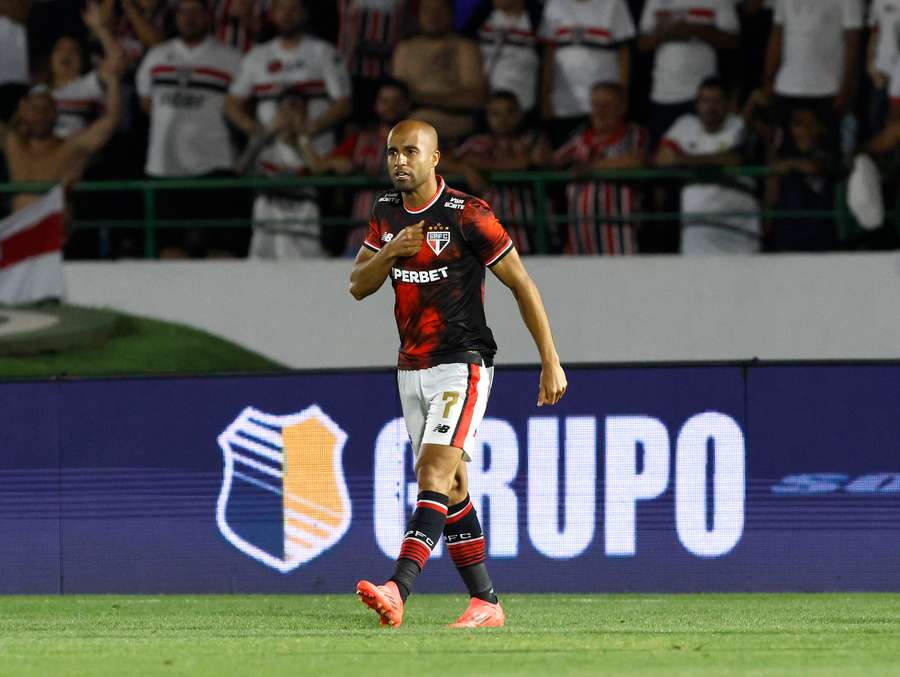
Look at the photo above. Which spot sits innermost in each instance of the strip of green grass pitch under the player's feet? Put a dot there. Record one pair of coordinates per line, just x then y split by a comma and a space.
796, 634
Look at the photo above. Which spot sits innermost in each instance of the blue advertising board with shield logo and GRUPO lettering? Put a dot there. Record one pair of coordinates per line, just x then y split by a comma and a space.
643, 479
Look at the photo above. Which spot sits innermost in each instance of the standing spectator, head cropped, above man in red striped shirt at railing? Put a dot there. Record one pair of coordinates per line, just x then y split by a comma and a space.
587, 41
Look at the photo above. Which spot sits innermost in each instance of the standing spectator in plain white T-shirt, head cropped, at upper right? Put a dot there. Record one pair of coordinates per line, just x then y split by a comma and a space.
813, 56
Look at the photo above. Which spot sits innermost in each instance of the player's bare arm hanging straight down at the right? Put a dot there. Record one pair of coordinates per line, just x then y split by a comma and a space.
512, 273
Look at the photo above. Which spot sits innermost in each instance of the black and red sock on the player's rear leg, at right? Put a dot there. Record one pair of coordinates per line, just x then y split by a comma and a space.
465, 541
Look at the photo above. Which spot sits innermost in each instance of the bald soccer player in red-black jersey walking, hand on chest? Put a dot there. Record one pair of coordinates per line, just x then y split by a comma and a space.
435, 243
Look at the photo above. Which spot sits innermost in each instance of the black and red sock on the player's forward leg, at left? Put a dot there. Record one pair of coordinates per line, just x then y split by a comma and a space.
422, 533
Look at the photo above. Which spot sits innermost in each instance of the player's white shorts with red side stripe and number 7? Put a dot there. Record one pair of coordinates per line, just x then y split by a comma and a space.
444, 404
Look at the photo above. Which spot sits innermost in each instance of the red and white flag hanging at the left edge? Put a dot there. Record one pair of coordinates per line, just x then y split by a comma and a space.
31, 243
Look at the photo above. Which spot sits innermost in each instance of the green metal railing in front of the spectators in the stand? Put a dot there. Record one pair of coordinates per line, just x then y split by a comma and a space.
541, 183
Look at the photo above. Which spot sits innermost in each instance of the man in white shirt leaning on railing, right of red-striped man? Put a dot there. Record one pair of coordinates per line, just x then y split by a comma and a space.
718, 217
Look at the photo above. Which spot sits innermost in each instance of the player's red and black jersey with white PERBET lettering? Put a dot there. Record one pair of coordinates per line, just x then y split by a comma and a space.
440, 291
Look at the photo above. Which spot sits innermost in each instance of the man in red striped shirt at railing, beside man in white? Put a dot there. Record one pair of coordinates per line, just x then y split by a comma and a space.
596, 206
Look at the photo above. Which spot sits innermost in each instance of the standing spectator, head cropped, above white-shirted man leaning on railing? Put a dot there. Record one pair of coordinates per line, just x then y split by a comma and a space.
684, 36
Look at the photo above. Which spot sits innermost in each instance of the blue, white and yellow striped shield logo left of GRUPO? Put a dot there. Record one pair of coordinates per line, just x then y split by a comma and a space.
284, 498
